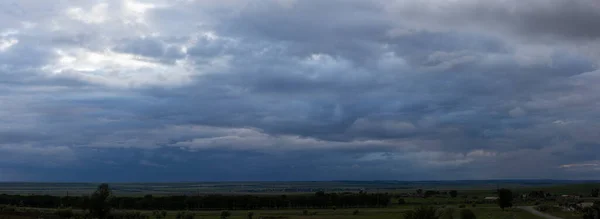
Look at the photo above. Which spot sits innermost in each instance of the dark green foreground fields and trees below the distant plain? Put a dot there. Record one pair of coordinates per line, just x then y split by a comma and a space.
438, 204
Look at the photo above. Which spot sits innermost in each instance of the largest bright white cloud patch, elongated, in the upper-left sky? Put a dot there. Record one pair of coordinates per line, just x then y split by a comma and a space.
118, 69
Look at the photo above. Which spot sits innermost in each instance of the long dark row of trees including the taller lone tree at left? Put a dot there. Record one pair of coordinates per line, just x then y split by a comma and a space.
204, 202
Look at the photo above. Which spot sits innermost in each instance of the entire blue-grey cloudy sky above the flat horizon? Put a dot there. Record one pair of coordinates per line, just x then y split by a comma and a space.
260, 90
